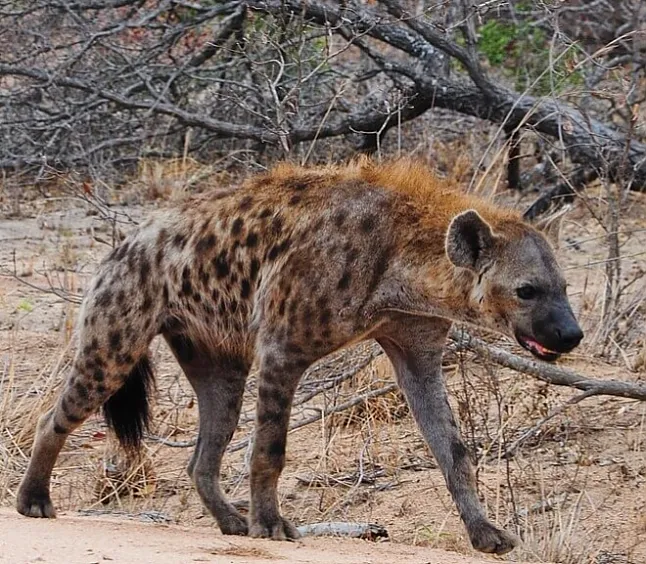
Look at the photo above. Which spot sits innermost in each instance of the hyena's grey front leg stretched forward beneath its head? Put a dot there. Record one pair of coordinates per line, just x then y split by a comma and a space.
416, 353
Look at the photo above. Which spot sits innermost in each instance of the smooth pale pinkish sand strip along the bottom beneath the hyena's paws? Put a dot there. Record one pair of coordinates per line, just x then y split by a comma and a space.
70, 539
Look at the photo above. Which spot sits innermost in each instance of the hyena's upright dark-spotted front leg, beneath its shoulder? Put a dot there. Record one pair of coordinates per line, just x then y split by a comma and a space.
277, 381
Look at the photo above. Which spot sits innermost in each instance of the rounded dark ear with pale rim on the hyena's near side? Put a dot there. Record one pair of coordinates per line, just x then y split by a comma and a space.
469, 240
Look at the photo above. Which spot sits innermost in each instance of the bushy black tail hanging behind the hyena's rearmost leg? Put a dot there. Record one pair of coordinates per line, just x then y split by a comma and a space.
127, 412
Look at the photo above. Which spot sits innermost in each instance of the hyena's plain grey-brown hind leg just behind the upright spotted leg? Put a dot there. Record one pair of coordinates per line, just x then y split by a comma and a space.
218, 380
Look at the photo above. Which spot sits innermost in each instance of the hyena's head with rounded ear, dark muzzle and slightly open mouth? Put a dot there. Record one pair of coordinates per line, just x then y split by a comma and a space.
517, 285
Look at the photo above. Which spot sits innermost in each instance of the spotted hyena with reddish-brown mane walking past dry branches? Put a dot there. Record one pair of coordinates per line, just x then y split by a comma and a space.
292, 265
